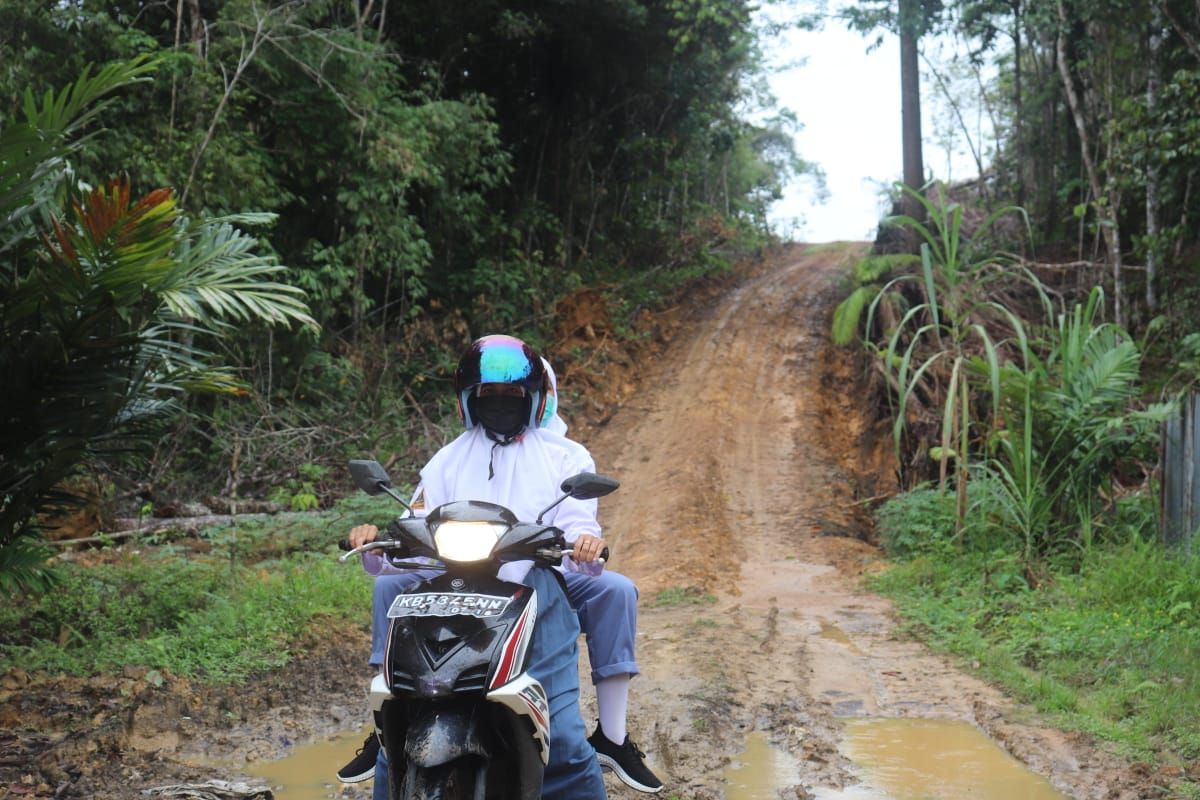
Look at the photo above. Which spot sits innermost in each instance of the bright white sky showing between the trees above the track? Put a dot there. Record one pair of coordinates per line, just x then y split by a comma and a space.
849, 104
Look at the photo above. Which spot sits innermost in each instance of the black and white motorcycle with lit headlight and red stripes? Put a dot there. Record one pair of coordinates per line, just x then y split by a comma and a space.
457, 712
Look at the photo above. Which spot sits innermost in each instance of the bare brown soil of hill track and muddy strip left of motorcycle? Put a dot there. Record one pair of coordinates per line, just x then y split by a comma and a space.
746, 462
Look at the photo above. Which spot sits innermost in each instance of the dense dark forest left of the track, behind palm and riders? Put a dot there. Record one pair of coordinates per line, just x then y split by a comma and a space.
434, 172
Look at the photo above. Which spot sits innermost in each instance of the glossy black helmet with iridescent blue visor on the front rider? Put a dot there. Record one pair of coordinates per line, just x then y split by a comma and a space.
501, 360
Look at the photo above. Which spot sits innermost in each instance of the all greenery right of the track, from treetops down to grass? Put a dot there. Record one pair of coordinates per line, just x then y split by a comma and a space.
1027, 353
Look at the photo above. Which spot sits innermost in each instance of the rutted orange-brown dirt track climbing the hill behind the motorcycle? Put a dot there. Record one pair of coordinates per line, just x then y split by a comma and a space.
739, 478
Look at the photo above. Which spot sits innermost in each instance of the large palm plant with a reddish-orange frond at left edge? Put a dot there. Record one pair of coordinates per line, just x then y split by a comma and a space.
107, 306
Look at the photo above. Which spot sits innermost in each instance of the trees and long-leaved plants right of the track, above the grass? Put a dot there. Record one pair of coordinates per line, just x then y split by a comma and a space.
1016, 346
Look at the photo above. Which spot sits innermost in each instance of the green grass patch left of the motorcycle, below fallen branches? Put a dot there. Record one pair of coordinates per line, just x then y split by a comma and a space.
220, 617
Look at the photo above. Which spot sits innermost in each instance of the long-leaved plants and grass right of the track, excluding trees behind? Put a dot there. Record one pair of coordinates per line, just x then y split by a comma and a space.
1041, 563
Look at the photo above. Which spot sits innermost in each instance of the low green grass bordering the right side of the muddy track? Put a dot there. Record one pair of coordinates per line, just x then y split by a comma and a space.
1107, 642
